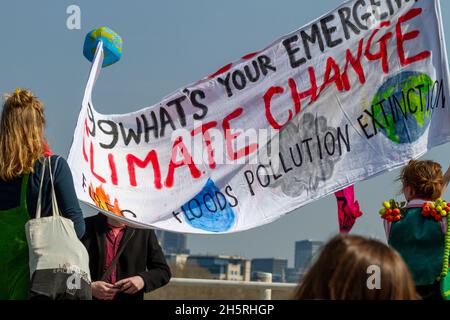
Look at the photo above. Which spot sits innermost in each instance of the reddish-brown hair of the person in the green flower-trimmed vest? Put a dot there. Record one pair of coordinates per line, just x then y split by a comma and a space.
422, 179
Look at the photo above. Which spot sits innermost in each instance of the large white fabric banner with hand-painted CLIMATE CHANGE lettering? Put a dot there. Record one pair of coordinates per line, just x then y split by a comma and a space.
359, 91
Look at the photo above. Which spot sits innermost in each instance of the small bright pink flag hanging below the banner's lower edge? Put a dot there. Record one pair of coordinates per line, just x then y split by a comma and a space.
348, 208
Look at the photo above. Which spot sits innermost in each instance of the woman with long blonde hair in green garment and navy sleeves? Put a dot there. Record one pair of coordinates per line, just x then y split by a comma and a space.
22, 146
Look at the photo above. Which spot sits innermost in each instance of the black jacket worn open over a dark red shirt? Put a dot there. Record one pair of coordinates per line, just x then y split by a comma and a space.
142, 256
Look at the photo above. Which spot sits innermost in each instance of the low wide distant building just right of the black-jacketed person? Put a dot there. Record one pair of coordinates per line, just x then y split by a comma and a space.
223, 267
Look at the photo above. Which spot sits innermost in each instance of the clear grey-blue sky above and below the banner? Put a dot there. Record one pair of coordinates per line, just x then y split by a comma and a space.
168, 44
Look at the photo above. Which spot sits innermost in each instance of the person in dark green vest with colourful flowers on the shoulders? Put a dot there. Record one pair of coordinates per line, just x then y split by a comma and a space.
417, 228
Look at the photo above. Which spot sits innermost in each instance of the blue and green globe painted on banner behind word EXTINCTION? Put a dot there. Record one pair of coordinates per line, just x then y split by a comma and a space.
406, 111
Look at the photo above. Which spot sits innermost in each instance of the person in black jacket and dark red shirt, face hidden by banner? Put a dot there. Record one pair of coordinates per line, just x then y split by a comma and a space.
124, 262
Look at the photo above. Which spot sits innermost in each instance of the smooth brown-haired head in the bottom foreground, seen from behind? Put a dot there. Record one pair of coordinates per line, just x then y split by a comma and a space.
344, 267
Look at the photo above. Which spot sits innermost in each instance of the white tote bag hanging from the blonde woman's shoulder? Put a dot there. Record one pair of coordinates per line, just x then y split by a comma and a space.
59, 262
